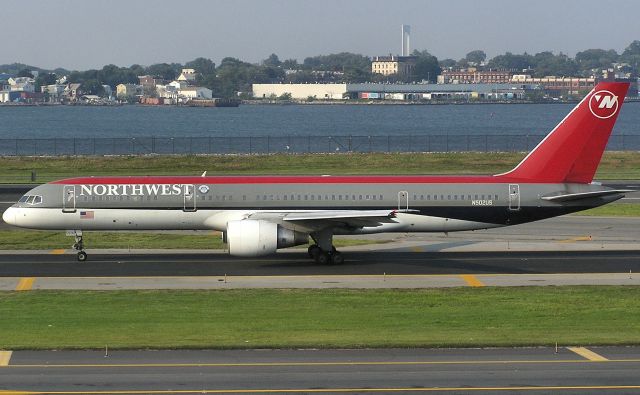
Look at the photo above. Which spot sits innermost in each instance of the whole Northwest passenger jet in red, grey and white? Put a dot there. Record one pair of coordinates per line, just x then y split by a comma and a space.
258, 215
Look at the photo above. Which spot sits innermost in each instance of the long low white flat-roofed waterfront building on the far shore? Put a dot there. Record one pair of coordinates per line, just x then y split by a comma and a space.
378, 91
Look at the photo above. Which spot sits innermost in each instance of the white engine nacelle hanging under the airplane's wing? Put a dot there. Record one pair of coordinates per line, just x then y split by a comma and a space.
251, 237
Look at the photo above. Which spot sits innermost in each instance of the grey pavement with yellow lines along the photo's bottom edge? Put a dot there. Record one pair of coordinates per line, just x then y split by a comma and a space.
576, 370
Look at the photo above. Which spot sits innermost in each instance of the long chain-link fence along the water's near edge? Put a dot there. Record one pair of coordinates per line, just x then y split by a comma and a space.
285, 144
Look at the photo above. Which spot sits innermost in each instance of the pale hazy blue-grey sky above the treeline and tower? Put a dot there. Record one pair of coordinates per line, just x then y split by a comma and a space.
83, 34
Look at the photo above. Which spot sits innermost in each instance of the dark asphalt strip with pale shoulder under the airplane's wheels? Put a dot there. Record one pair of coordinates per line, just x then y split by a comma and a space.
391, 269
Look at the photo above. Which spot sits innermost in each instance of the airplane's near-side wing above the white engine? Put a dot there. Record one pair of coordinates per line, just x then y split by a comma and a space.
329, 218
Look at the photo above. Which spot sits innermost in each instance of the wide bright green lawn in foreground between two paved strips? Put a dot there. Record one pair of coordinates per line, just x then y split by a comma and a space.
250, 318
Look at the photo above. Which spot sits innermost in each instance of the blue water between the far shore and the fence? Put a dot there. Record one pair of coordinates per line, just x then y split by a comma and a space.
292, 120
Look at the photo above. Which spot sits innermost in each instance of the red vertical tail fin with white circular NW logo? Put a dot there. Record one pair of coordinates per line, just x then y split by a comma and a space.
573, 149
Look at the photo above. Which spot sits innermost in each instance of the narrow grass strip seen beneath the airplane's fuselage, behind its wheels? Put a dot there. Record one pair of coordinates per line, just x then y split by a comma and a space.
45, 240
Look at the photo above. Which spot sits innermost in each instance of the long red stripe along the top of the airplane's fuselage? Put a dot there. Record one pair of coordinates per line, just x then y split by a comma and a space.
290, 180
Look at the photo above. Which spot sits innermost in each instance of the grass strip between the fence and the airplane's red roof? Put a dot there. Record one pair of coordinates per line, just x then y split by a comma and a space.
615, 165
